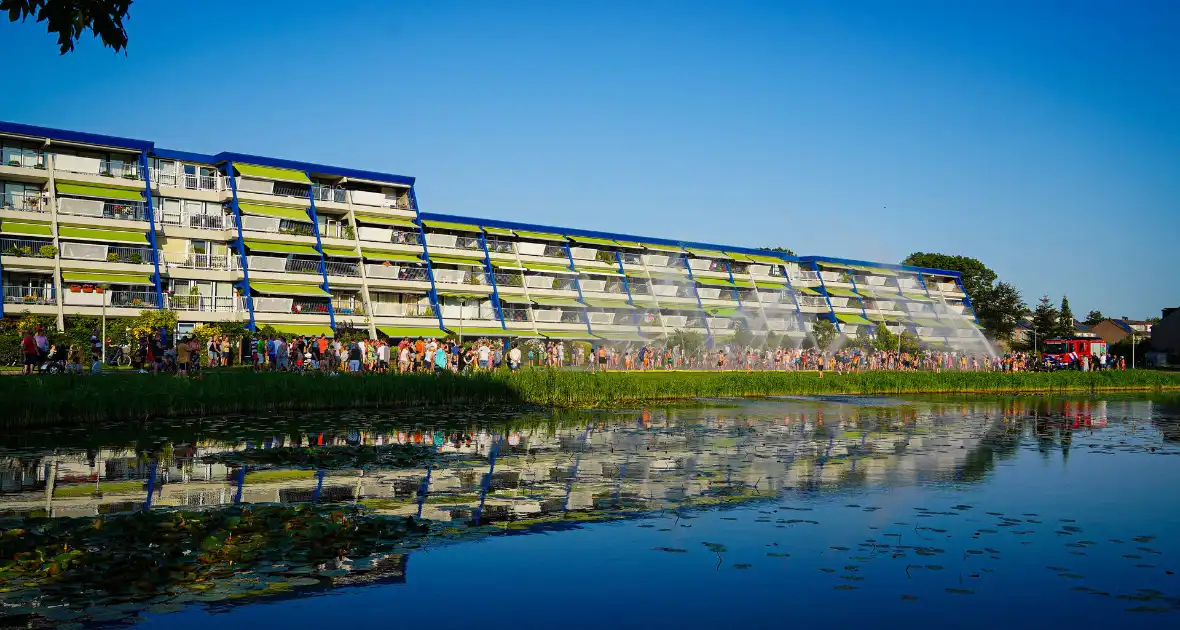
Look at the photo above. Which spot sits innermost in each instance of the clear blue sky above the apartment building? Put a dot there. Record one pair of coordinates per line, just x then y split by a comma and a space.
1040, 137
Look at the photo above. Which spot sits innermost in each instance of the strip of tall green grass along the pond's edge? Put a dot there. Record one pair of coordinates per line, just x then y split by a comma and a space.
58, 401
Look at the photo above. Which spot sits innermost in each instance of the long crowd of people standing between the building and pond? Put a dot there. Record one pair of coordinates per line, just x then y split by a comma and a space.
160, 353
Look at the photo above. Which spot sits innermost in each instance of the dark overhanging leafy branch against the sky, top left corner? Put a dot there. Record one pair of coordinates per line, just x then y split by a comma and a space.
73, 18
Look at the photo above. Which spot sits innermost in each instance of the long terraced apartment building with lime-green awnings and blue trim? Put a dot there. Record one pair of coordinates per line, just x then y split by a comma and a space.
93, 224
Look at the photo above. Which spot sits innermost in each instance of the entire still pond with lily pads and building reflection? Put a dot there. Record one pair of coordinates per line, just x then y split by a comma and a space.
967, 511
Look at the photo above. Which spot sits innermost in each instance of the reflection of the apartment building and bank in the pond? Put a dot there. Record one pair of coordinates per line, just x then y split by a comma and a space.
244, 510
